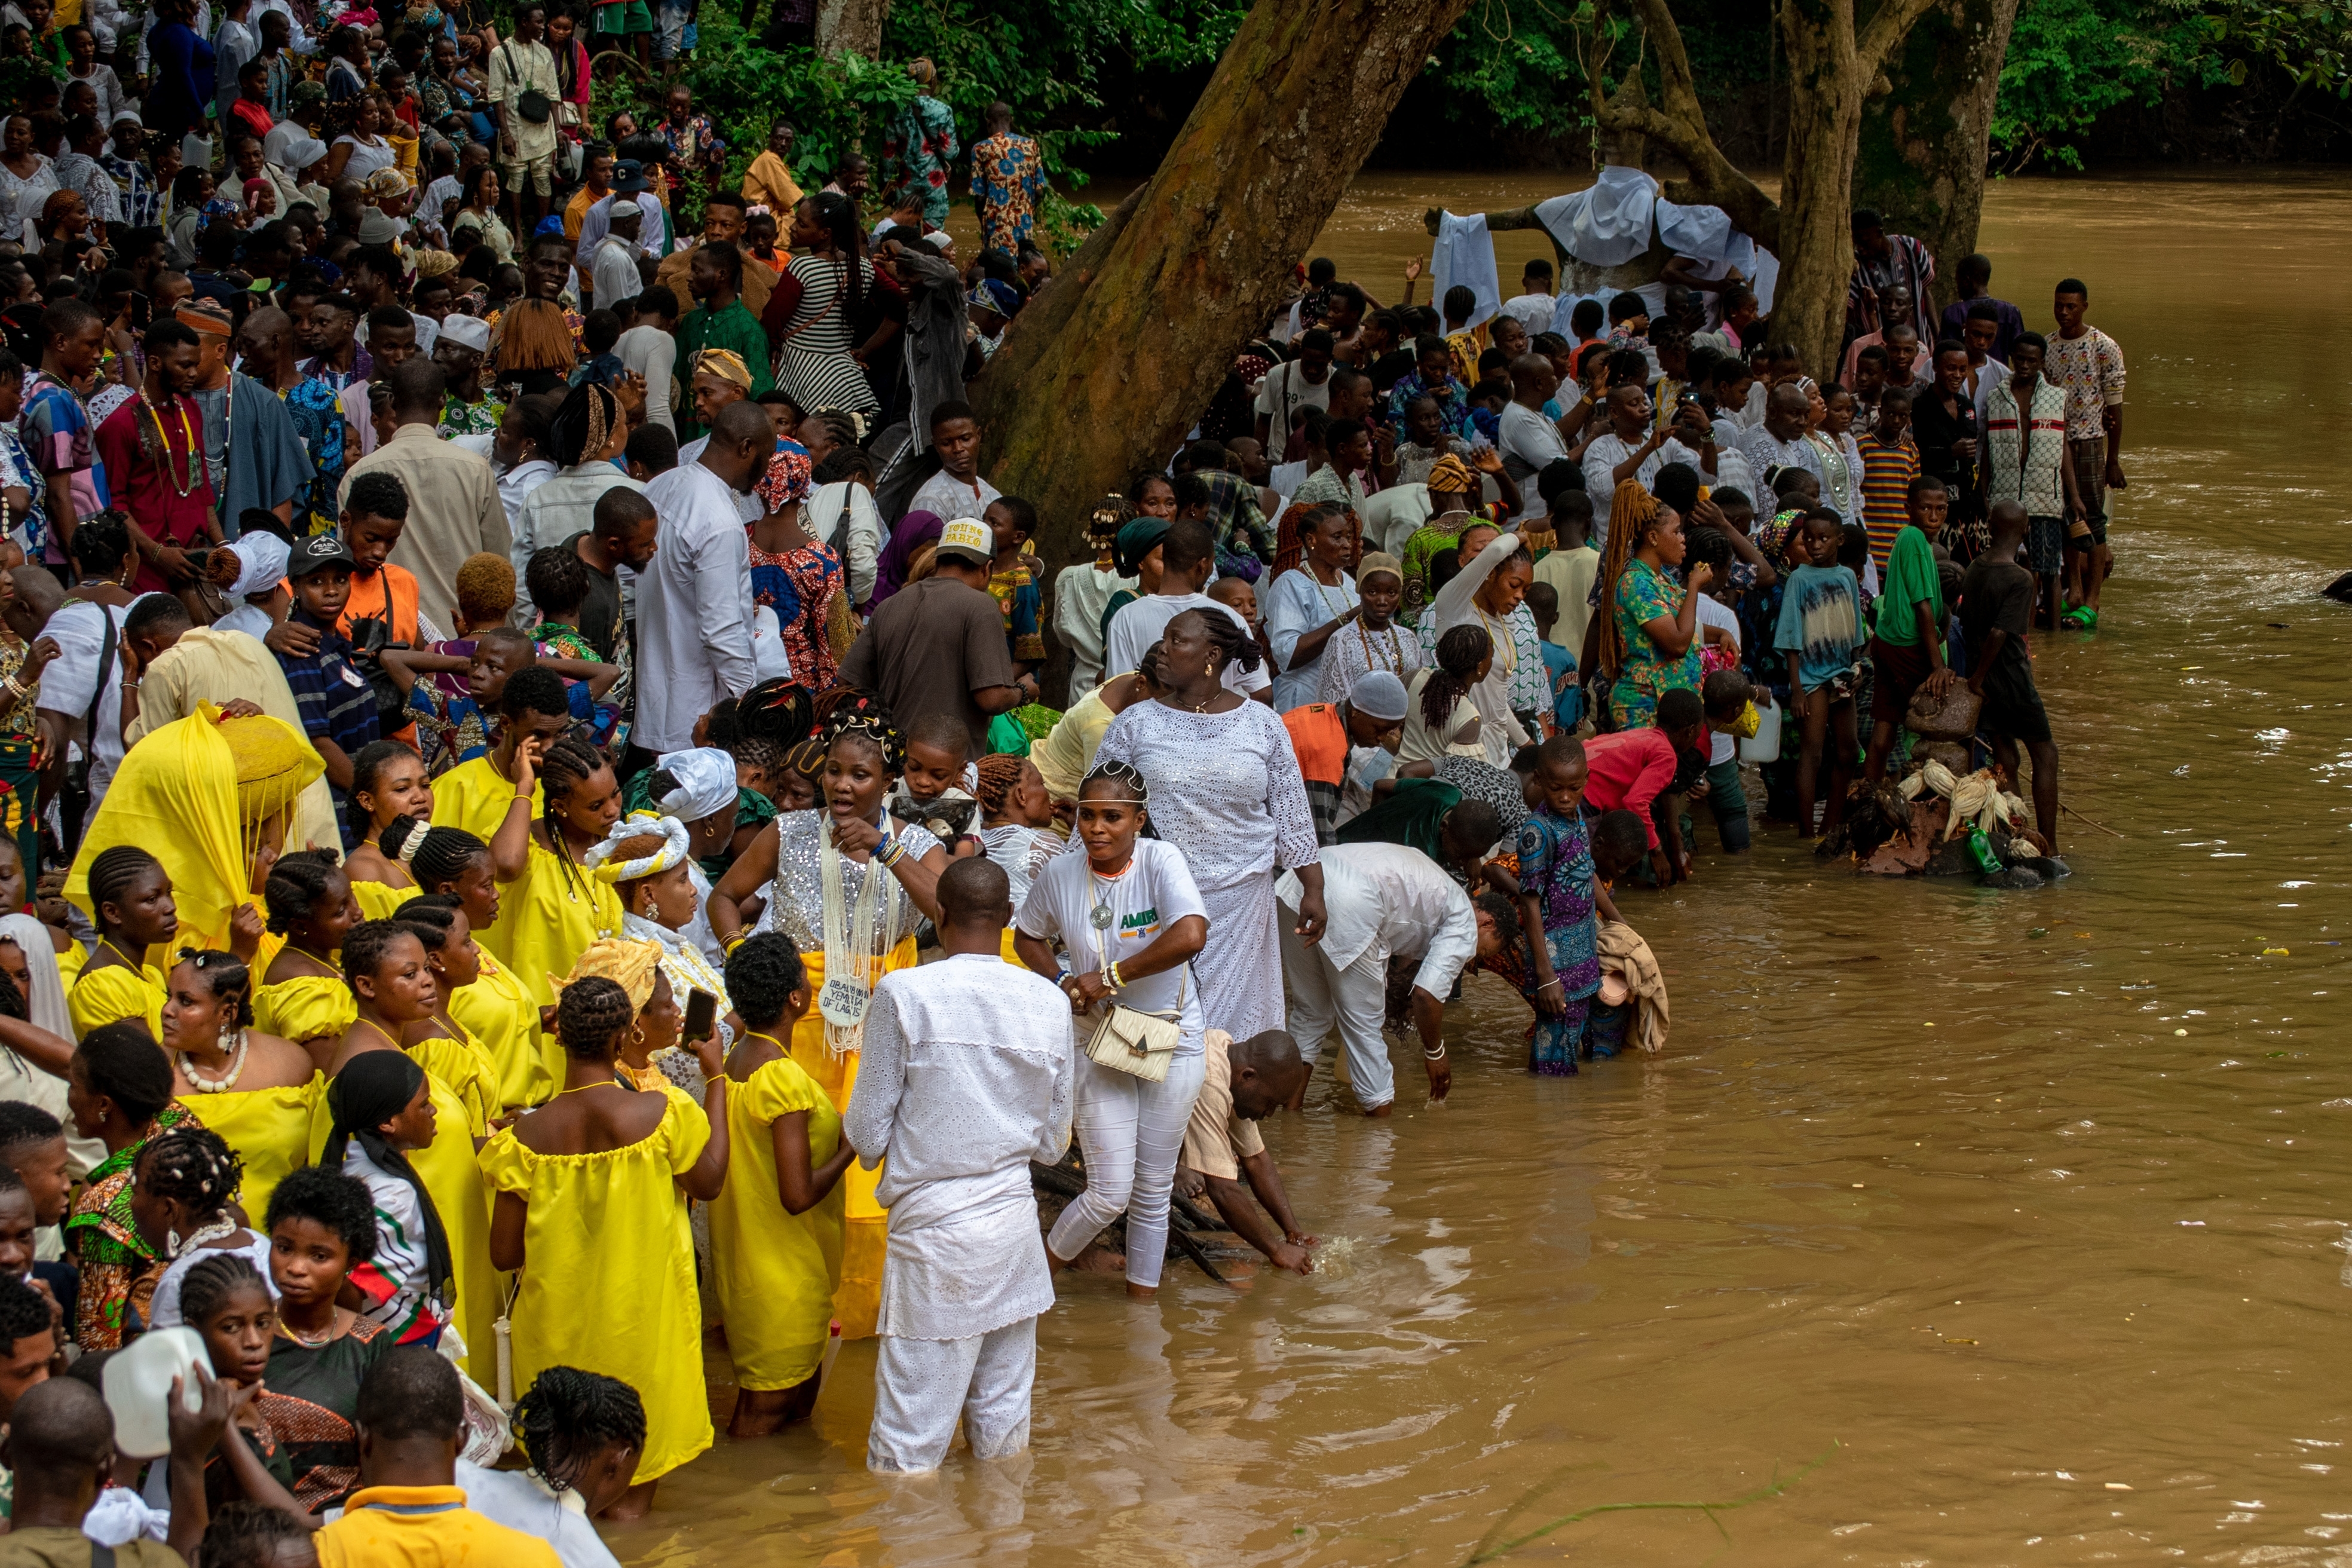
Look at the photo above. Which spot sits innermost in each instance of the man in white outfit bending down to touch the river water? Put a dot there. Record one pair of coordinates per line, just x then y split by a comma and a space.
1382, 902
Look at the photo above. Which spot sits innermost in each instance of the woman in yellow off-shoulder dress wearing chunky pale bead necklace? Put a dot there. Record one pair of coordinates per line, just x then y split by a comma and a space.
255, 1090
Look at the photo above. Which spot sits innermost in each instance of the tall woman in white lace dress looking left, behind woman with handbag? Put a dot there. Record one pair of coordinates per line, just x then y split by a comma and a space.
1227, 791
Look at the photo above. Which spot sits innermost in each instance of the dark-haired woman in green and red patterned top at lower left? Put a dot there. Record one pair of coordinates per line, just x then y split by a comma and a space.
119, 1090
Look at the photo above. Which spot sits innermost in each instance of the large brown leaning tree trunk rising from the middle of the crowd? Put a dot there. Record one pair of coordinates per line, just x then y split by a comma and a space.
1118, 356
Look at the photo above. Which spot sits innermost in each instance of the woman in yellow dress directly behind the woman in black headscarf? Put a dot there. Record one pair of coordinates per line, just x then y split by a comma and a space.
394, 1010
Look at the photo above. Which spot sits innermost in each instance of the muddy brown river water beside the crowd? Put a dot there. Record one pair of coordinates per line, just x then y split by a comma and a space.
1991, 1228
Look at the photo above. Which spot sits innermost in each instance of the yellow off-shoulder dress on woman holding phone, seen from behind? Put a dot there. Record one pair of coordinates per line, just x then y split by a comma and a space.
608, 1273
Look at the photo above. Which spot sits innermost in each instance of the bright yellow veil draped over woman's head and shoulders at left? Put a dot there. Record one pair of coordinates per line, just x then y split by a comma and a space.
196, 796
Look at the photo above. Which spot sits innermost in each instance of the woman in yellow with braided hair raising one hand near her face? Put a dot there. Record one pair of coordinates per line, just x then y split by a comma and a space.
549, 909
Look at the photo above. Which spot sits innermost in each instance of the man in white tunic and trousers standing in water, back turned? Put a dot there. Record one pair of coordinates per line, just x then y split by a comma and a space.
965, 1078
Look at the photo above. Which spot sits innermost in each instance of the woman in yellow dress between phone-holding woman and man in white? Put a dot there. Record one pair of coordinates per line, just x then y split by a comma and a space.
777, 1226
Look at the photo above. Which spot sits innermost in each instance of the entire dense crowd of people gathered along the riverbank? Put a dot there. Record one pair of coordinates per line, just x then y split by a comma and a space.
554, 812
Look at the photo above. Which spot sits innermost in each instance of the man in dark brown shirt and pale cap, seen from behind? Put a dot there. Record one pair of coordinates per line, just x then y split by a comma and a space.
940, 645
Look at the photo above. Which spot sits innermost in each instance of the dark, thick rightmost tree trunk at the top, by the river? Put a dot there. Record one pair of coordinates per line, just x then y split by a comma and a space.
1923, 149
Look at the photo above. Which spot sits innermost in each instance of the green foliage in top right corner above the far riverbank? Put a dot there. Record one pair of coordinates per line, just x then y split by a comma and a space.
2073, 60
